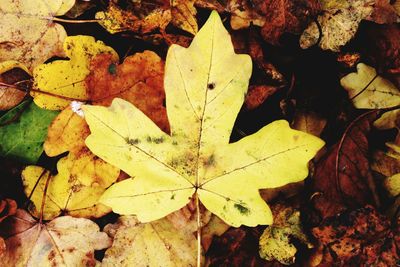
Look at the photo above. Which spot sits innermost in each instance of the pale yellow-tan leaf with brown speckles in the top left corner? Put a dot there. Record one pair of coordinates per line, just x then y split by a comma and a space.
28, 34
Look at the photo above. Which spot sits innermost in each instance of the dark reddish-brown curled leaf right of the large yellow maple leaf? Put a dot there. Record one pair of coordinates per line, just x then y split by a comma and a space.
342, 178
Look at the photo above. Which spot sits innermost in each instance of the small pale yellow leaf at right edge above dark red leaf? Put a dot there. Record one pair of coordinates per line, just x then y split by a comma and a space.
369, 90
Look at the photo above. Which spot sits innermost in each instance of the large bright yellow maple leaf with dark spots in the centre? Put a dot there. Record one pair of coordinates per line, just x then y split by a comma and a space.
204, 96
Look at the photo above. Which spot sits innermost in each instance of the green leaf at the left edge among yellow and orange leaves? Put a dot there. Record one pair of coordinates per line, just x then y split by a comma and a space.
24, 131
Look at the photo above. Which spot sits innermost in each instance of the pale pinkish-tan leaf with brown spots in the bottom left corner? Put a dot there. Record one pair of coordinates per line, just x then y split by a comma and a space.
65, 241
